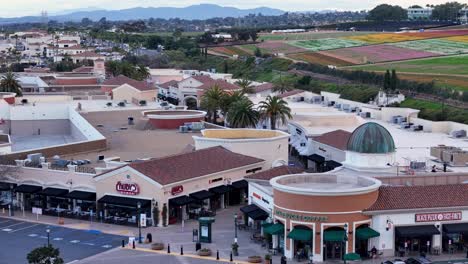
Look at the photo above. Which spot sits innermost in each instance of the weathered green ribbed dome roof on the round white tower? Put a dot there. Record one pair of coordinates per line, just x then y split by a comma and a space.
371, 138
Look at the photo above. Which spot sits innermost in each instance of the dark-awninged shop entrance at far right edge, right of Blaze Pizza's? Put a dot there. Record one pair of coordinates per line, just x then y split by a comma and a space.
454, 237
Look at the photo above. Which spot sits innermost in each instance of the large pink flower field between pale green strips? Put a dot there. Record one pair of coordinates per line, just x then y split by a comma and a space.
376, 53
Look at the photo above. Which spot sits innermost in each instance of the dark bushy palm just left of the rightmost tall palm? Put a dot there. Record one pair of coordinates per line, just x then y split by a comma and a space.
242, 114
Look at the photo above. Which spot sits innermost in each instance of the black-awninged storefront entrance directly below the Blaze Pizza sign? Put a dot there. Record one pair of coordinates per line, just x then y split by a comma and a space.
414, 240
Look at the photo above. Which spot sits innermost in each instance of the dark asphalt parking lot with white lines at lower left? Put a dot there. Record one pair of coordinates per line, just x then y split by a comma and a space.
19, 238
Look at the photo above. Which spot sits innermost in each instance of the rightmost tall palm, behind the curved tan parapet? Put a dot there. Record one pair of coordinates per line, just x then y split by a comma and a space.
274, 109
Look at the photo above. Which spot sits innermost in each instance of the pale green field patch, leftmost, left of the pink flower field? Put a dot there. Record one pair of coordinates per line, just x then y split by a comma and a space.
327, 43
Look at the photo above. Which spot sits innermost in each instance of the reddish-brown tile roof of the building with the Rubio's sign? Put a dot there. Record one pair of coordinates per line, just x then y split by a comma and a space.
185, 166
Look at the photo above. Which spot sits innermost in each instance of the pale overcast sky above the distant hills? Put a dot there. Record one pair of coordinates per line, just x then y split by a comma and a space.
9, 8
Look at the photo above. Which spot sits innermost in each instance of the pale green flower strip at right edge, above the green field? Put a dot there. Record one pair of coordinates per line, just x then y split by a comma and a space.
440, 46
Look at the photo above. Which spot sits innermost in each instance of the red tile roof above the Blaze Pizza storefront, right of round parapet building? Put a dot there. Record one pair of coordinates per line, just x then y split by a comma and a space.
418, 197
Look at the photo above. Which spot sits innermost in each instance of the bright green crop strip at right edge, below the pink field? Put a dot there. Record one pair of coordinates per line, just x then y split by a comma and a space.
441, 65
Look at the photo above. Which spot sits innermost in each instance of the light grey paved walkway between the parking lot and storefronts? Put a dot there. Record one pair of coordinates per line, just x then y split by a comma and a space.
181, 236
